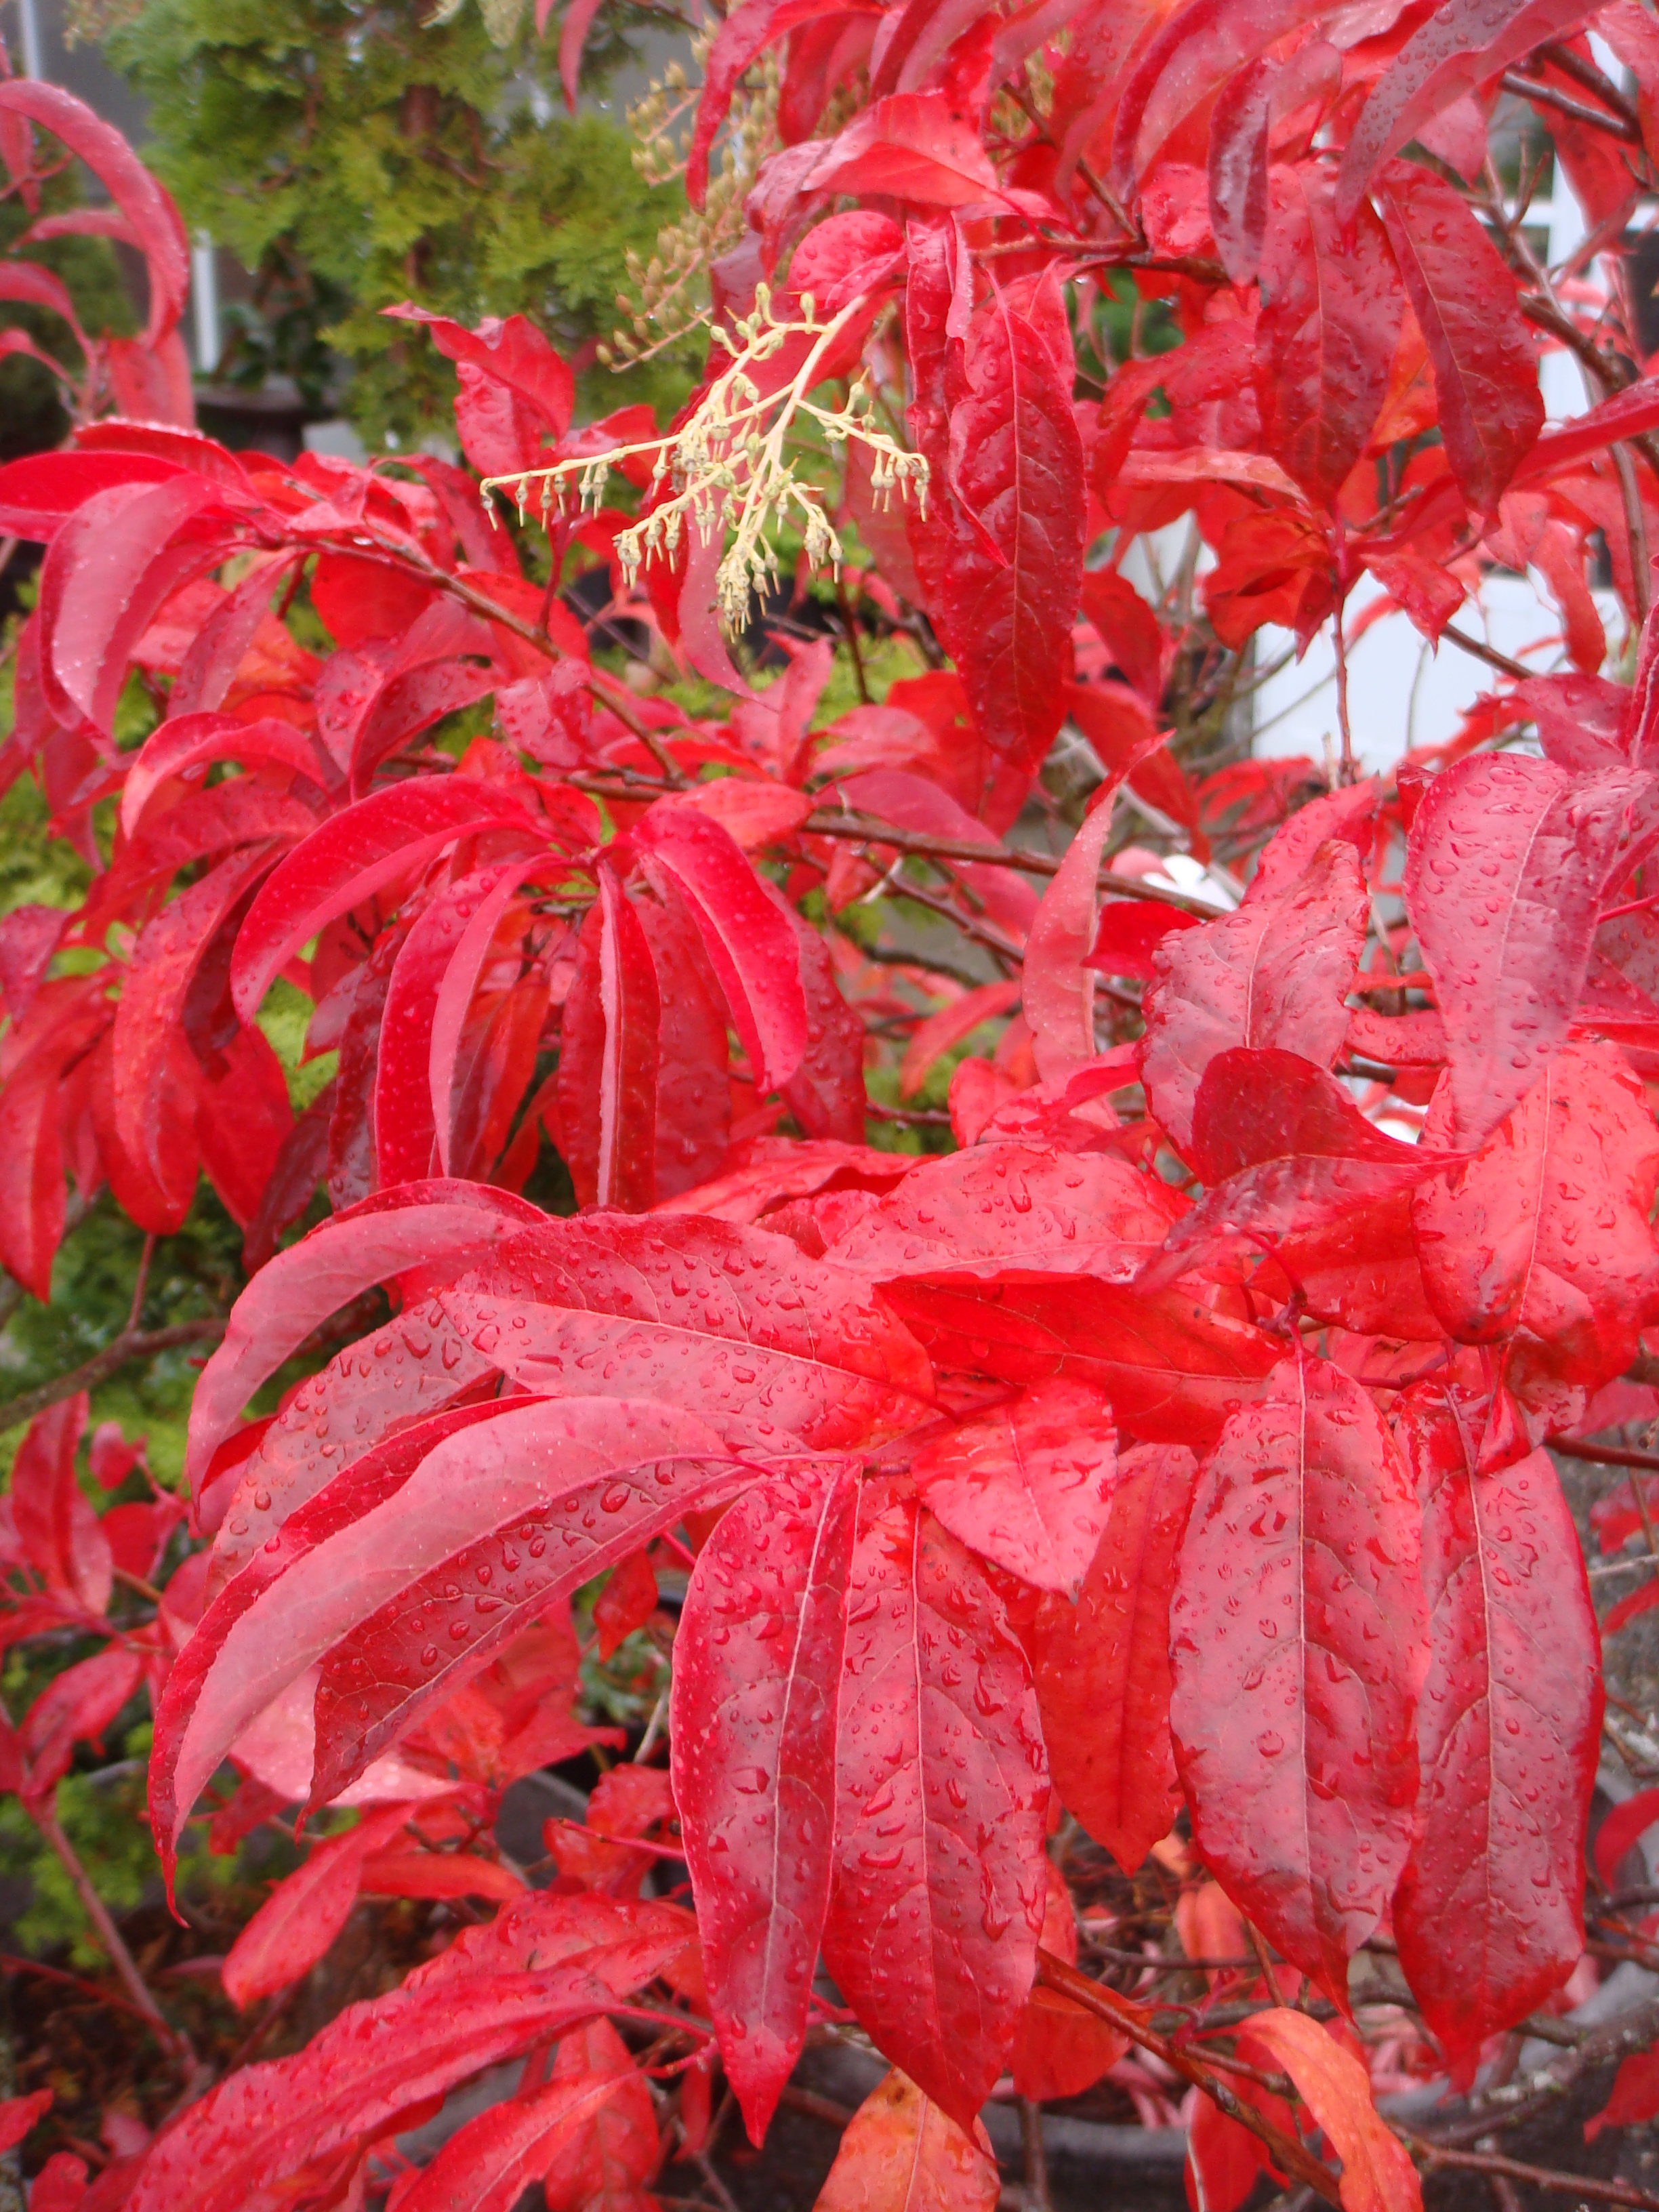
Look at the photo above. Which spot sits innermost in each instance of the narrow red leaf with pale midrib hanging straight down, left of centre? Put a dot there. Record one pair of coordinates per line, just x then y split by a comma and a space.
612, 1056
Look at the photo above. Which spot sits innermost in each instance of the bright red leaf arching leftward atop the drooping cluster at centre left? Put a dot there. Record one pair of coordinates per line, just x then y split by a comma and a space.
386, 837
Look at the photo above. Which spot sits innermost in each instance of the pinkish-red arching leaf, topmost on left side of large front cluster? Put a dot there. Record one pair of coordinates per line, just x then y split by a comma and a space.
421, 1224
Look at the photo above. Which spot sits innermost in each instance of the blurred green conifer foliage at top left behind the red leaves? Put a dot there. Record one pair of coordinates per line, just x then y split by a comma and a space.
359, 154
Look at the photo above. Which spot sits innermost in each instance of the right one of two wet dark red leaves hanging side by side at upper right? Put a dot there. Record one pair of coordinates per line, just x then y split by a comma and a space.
1485, 366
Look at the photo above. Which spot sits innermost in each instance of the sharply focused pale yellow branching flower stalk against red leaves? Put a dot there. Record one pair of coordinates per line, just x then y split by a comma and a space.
729, 466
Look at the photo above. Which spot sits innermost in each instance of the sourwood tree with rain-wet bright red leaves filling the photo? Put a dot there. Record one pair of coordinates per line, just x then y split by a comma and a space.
1131, 1468
